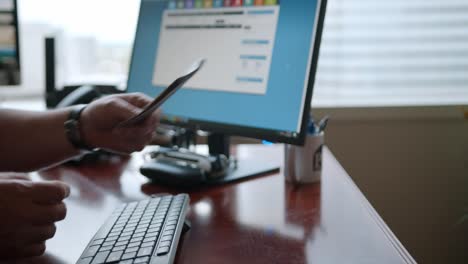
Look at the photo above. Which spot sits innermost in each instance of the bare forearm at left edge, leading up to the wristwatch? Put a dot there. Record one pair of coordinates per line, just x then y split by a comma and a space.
33, 140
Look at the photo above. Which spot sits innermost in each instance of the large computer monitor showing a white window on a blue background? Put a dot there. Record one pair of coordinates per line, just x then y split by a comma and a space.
261, 58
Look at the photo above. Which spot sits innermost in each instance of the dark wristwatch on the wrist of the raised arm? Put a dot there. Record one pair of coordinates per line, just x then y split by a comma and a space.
72, 129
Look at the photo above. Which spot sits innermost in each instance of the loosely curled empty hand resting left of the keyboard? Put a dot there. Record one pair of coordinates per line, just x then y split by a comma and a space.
28, 213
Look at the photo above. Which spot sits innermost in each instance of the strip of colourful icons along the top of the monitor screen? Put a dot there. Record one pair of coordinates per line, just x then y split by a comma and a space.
189, 4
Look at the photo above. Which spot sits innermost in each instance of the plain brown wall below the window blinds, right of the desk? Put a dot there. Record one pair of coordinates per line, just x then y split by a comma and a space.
412, 164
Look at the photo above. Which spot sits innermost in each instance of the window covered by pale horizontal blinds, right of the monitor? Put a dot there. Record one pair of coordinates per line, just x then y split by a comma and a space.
394, 53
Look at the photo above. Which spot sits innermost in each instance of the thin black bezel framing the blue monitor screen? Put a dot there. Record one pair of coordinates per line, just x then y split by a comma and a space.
254, 132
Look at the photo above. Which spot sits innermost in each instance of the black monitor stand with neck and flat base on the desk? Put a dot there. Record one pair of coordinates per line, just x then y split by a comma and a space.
240, 169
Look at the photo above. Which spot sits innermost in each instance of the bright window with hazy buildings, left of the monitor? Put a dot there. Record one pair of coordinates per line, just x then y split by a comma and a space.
94, 40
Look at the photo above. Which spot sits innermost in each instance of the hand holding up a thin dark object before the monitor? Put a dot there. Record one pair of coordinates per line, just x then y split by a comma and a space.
100, 120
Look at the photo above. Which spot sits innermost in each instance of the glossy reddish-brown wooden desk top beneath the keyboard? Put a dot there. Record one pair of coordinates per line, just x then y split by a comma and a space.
258, 221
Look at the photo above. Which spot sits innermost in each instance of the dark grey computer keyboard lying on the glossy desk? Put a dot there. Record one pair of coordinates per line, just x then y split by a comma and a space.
141, 232
